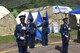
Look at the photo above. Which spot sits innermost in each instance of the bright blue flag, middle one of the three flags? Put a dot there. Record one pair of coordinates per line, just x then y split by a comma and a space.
39, 21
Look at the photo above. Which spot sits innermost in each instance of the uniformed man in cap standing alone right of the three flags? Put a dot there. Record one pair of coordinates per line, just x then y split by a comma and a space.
65, 33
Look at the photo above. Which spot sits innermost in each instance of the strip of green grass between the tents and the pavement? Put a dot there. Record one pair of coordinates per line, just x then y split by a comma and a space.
11, 38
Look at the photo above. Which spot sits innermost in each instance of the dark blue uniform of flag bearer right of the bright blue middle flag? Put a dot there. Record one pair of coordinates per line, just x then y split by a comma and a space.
45, 33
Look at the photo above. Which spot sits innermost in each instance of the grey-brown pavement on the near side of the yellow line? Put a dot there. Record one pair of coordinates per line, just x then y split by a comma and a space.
54, 47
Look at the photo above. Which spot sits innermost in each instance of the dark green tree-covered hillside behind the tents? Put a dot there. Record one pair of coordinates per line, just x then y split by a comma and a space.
20, 5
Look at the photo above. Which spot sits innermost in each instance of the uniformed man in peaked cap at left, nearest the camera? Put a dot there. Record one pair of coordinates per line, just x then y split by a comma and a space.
21, 35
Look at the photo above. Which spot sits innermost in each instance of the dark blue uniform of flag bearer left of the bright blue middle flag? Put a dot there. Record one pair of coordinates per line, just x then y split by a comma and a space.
32, 34
